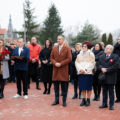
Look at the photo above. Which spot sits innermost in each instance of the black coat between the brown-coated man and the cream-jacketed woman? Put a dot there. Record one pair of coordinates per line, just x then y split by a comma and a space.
74, 71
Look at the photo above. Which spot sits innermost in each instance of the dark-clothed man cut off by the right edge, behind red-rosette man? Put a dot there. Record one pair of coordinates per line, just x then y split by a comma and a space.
117, 86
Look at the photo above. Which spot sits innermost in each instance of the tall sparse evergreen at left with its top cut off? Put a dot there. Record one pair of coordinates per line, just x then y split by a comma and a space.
31, 26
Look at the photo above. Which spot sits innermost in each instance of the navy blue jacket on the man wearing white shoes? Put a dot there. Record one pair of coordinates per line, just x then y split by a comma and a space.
22, 64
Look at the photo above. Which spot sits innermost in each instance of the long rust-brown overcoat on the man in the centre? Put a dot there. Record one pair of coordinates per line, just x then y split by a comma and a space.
65, 57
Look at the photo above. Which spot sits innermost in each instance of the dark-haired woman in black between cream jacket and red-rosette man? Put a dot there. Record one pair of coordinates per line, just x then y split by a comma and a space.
98, 51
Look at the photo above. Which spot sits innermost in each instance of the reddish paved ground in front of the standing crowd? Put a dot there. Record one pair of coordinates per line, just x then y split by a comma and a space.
38, 107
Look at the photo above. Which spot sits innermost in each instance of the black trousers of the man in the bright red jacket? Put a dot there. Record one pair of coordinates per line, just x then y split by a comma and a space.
33, 72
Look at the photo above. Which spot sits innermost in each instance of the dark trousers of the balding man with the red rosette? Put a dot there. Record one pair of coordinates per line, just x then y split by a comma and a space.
108, 89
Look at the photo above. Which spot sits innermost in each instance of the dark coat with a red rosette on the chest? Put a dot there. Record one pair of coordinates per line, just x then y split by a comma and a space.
112, 65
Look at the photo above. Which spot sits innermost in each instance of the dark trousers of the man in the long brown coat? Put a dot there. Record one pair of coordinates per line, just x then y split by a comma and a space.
64, 88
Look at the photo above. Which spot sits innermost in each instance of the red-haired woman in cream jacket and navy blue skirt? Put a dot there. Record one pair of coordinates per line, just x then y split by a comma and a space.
85, 63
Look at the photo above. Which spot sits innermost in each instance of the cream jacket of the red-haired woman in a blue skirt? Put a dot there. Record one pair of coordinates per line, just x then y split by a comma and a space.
85, 62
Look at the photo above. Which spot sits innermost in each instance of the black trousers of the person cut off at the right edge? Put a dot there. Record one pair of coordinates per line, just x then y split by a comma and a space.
117, 86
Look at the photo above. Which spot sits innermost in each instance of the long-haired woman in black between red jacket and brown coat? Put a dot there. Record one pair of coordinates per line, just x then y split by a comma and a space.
46, 68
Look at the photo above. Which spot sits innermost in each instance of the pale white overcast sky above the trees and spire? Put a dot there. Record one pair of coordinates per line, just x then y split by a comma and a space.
103, 13
